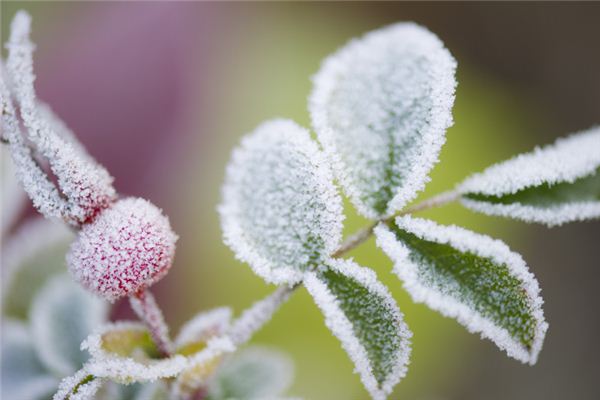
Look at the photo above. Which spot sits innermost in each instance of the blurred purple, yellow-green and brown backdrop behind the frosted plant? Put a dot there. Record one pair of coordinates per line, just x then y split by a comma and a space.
161, 92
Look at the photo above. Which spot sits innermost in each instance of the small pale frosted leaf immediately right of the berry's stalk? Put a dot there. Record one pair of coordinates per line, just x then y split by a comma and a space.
203, 326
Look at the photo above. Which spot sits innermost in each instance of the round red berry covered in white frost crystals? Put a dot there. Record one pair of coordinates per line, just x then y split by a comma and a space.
127, 248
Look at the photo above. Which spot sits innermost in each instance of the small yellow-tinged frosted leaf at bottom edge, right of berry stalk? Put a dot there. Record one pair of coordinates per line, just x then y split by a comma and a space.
201, 367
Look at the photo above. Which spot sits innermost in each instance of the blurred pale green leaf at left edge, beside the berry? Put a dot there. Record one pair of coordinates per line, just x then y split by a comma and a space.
30, 256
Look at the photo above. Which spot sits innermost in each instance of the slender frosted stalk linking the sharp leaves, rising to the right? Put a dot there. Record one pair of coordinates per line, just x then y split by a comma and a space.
261, 312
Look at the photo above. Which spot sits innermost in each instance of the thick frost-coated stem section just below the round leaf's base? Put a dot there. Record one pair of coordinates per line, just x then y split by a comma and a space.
260, 313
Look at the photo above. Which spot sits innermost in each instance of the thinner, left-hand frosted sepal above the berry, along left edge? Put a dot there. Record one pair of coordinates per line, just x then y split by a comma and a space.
42, 192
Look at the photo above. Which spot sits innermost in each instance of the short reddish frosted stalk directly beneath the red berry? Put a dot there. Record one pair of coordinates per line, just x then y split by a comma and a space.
146, 308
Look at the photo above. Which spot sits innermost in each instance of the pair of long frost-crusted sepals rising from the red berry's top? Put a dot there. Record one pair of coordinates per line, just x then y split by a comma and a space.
85, 186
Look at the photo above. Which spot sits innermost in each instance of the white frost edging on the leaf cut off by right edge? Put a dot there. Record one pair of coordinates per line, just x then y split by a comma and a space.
567, 160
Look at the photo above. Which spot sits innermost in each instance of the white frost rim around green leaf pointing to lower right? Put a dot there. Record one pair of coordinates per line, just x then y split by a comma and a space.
481, 245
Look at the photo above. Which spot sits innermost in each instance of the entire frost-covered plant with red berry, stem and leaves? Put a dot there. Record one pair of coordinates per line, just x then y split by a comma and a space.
380, 108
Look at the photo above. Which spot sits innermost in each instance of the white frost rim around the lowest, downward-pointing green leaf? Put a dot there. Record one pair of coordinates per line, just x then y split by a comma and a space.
342, 327
